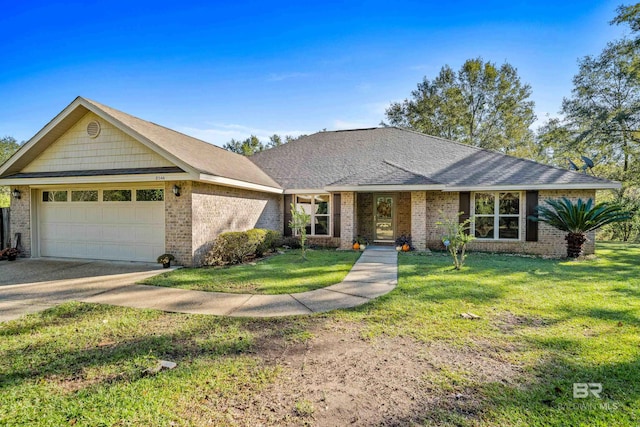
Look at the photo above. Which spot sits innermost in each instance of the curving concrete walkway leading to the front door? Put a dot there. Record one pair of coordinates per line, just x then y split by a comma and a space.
373, 275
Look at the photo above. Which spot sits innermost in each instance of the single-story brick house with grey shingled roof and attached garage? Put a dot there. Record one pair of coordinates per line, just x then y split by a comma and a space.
98, 183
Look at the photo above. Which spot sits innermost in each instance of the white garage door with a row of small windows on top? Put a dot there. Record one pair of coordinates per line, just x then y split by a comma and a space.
111, 224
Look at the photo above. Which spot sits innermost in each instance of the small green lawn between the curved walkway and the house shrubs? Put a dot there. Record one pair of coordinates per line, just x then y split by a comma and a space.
278, 274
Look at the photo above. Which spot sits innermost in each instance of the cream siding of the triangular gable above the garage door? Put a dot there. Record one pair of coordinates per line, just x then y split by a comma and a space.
111, 149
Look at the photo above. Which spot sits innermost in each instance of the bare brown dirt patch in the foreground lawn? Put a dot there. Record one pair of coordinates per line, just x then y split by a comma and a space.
337, 378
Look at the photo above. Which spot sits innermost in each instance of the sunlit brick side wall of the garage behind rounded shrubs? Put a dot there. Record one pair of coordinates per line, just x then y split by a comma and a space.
217, 209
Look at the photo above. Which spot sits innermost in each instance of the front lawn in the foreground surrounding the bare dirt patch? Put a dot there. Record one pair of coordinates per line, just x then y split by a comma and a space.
552, 323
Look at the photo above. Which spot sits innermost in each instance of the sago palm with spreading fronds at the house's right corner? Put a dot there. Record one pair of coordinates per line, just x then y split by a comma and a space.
577, 219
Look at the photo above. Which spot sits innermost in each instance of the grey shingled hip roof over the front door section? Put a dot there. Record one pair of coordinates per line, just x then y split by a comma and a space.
395, 156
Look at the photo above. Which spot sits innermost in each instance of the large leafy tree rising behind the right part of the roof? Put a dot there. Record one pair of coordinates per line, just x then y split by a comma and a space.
481, 105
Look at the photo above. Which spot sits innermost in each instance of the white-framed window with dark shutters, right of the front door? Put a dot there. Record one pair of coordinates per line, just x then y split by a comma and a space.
497, 215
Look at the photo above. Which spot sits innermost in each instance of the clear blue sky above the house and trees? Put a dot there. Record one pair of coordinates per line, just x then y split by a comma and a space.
222, 70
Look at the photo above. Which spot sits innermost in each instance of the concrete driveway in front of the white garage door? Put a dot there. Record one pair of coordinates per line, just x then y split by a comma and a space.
30, 285
